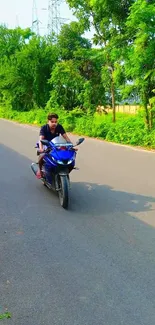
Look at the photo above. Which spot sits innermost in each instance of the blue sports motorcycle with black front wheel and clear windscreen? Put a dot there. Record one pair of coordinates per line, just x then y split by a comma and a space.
58, 162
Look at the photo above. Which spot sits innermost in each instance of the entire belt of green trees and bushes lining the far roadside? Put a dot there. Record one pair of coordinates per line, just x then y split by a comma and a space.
69, 75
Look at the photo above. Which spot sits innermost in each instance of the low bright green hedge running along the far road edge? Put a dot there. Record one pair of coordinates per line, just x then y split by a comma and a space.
129, 129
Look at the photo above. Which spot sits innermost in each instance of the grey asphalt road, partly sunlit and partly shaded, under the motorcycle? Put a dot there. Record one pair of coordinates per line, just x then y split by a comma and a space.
91, 265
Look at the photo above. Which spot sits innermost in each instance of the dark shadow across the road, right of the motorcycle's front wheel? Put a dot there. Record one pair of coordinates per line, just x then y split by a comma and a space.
96, 199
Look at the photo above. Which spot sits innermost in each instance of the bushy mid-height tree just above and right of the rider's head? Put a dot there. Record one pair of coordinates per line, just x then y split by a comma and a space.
73, 46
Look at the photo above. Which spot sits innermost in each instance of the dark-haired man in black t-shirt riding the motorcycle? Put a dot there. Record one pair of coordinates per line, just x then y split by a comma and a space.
48, 132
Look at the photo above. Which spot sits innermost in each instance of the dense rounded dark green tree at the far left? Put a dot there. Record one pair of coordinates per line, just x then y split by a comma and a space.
24, 74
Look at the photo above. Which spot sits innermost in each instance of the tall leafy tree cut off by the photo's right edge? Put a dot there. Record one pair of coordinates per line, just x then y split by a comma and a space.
140, 63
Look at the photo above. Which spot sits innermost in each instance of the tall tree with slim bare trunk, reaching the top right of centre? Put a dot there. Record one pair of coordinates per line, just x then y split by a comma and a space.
108, 19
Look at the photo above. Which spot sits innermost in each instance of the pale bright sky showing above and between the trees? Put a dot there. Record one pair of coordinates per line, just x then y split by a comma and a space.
19, 13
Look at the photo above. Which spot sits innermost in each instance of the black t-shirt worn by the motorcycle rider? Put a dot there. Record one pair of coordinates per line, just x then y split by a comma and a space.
46, 132
